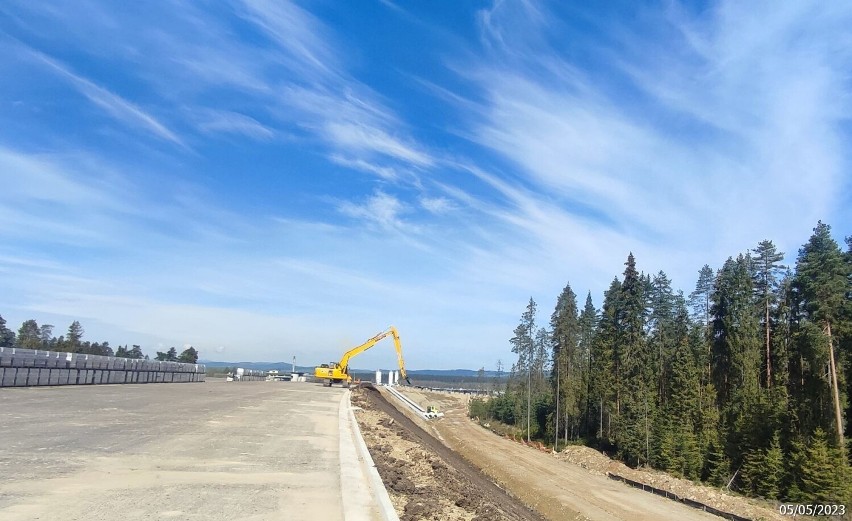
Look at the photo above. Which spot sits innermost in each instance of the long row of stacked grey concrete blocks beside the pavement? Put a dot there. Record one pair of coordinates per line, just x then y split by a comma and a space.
31, 367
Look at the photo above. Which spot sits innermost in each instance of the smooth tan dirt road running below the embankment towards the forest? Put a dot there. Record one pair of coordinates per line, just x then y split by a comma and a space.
556, 489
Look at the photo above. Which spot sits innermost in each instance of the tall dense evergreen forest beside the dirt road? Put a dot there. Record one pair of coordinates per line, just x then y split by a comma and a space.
746, 379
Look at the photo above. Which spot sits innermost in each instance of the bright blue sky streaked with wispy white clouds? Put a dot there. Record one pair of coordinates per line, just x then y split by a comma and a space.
263, 179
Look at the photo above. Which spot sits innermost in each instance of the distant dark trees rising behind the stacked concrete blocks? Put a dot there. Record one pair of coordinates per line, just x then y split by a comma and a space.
32, 336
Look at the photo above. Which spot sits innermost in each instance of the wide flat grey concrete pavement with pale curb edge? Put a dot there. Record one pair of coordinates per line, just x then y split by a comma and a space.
215, 450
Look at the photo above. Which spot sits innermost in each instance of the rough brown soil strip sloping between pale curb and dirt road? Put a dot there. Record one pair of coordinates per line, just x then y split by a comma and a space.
425, 480
